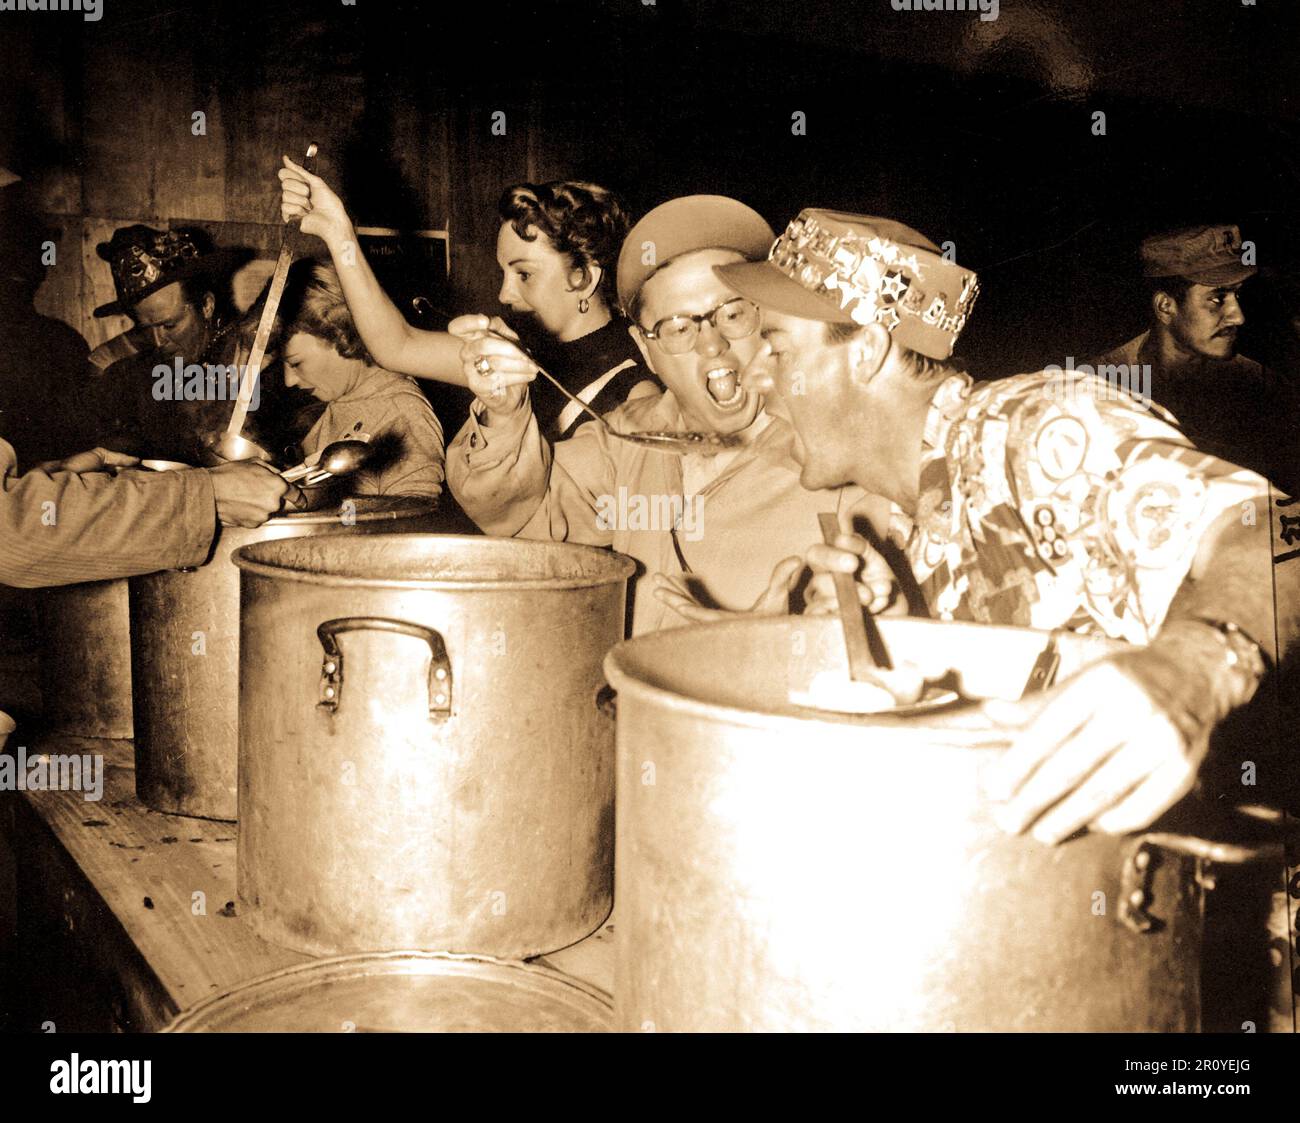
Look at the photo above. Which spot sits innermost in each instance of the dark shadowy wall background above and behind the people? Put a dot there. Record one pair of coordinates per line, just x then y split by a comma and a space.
976, 132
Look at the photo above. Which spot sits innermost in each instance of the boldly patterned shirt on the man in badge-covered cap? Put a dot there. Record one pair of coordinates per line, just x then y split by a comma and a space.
1069, 505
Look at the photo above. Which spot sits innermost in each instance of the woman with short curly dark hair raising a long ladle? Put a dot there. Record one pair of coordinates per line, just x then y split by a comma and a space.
557, 249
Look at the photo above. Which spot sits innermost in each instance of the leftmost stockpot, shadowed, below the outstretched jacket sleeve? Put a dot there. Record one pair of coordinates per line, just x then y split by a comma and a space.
86, 660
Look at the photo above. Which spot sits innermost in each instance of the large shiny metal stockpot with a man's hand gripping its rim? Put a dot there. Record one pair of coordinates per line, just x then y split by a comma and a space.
788, 869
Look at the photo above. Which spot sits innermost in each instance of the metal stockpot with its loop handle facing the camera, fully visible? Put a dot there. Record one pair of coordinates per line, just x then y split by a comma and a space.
423, 762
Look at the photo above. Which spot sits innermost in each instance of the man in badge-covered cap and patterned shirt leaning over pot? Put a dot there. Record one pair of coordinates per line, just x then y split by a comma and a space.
1041, 501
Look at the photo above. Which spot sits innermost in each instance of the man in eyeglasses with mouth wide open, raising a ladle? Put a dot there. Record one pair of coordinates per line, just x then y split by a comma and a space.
714, 534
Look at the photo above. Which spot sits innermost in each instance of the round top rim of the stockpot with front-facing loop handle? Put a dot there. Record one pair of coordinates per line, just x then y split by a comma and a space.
619, 567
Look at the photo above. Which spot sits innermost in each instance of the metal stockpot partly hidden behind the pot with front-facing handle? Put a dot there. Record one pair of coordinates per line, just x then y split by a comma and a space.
185, 657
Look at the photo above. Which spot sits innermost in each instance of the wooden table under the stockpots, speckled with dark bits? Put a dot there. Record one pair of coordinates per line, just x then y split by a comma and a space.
141, 907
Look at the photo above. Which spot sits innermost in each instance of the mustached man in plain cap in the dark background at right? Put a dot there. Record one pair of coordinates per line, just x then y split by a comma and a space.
1227, 404
